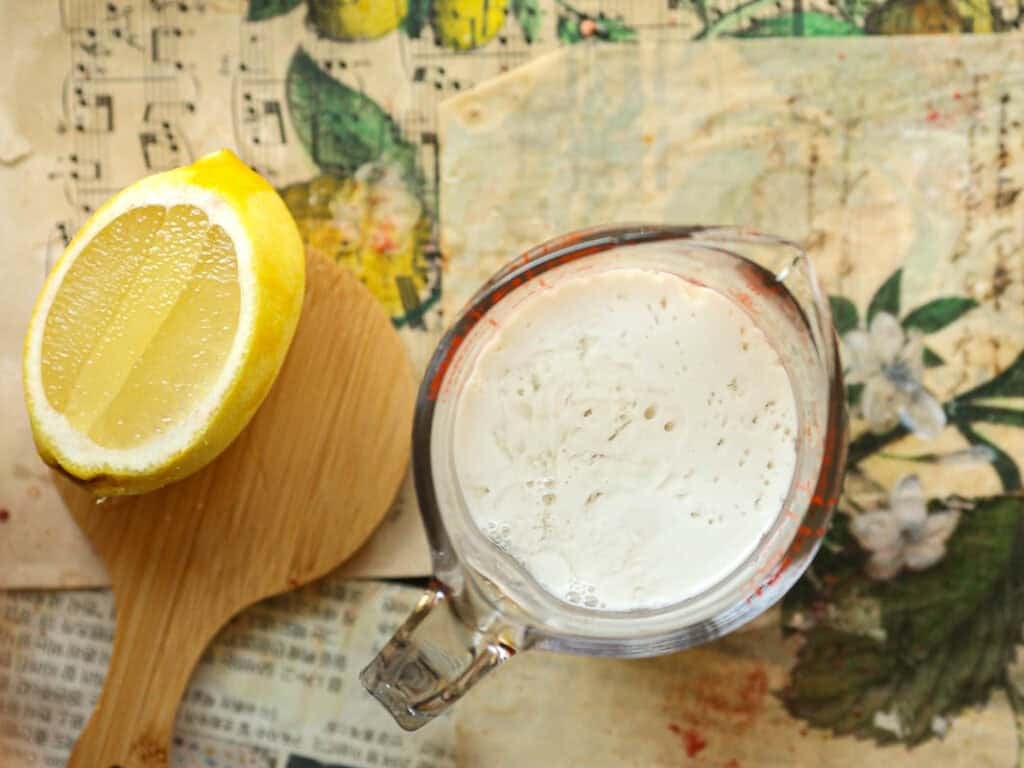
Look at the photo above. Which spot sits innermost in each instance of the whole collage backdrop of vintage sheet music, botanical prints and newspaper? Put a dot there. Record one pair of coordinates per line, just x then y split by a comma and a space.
897, 163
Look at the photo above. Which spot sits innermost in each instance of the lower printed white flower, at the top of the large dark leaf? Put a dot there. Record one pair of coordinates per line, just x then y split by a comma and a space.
904, 535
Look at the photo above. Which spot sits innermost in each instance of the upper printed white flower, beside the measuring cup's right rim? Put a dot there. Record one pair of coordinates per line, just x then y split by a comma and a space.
888, 362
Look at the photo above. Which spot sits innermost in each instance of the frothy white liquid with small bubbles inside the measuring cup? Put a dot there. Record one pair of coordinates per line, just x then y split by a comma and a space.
628, 437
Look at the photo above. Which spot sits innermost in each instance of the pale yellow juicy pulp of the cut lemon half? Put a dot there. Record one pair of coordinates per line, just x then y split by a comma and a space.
143, 325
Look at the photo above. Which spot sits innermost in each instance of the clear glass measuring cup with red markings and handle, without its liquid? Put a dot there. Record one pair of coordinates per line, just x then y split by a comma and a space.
483, 607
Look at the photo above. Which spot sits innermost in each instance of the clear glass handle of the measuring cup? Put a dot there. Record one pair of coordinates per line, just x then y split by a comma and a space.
434, 659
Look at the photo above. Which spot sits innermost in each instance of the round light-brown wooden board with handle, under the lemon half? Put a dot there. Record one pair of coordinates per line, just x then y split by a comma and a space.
300, 491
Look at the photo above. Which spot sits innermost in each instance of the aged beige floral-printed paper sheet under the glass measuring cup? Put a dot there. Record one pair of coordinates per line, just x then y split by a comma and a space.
899, 169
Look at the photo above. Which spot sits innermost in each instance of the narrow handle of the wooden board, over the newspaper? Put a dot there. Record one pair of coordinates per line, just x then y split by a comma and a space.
153, 660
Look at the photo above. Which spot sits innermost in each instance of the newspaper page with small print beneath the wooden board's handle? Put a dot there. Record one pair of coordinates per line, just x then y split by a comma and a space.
278, 689
